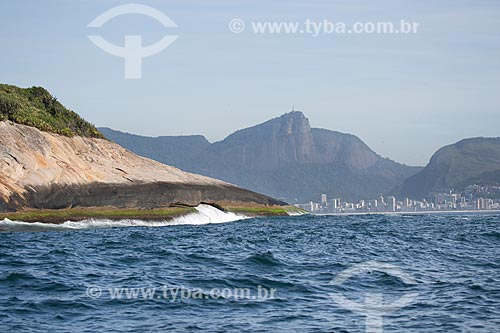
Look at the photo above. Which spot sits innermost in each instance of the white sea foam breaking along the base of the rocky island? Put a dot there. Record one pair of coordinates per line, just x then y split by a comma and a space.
205, 214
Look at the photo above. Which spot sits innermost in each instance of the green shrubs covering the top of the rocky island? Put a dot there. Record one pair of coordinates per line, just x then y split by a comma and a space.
36, 107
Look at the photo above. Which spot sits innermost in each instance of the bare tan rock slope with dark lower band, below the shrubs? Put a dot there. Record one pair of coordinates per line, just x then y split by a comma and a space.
45, 170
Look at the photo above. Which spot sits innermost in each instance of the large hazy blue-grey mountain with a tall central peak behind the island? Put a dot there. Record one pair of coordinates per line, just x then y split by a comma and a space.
283, 157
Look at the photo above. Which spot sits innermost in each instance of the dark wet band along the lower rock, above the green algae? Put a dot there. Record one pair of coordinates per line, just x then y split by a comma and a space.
138, 195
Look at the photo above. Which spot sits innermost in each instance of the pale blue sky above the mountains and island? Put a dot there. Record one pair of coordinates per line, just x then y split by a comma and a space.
404, 95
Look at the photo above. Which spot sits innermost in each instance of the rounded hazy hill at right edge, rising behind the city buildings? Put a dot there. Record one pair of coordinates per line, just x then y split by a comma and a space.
467, 162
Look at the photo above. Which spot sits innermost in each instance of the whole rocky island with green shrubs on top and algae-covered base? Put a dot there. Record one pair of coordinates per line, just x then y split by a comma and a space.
56, 166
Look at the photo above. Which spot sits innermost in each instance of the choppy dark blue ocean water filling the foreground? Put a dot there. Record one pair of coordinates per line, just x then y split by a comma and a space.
371, 273
